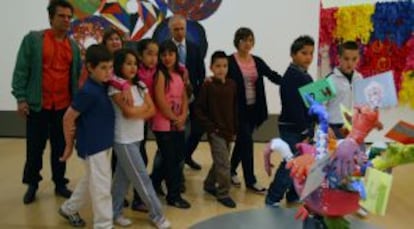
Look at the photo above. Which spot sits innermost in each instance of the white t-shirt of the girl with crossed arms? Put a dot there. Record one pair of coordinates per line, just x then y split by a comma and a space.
129, 130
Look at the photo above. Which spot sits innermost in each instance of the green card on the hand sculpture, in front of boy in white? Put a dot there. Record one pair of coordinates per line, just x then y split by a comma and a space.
321, 90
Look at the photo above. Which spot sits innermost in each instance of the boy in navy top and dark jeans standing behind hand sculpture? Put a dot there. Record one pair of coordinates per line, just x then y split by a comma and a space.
295, 124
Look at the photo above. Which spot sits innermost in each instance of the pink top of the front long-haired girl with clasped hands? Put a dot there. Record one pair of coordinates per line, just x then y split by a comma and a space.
173, 96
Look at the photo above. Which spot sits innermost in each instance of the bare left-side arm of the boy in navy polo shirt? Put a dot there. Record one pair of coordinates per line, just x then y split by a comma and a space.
69, 127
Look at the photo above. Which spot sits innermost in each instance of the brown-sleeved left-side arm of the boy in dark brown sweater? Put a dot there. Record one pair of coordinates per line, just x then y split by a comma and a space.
201, 109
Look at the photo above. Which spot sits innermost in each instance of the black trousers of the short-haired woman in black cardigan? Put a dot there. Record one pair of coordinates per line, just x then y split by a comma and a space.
243, 149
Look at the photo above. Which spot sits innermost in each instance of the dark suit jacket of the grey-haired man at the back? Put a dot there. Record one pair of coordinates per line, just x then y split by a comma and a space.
195, 65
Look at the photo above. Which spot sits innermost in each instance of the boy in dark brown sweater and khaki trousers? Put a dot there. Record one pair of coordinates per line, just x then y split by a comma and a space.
215, 108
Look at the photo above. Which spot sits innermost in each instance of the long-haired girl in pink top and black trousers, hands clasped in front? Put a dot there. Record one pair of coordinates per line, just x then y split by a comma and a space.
169, 120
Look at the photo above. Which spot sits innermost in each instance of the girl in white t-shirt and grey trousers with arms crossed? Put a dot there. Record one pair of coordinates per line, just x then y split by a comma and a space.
129, 132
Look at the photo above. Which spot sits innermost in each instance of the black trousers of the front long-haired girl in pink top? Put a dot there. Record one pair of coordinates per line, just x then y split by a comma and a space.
171, 147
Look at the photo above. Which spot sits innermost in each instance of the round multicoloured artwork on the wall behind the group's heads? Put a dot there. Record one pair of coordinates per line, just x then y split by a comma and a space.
136, 19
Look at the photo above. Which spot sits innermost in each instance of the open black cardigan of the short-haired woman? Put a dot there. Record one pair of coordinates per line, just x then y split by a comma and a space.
261, 105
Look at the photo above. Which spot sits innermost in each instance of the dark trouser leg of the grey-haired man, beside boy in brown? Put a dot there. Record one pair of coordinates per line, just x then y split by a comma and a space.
196, 132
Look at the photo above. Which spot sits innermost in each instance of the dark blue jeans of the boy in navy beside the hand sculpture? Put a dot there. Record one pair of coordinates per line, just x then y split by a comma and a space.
282, 183
